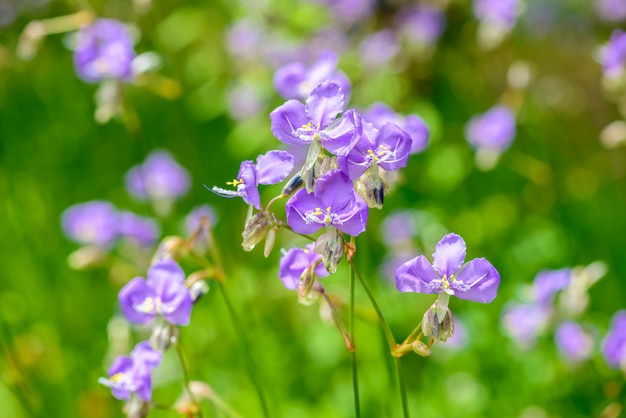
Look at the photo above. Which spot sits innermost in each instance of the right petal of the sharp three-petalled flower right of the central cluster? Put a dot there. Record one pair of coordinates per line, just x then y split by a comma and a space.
480, 281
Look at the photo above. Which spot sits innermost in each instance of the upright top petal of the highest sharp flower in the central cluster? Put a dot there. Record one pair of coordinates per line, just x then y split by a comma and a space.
324, 104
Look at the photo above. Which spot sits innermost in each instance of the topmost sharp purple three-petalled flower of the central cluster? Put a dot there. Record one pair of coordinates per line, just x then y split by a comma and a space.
300, 124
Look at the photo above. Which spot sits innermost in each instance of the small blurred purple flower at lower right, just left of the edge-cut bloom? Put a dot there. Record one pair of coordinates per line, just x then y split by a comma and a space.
525, 322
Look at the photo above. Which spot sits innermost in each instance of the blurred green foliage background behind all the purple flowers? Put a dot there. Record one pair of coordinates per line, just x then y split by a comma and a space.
556, 199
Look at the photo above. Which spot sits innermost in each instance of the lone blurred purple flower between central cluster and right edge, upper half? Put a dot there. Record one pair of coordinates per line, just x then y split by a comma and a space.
493, 130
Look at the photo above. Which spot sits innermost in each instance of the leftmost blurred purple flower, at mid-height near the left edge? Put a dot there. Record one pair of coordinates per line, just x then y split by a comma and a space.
91, 223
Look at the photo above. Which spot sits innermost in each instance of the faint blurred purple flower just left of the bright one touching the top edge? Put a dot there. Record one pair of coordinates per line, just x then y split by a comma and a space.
422, 24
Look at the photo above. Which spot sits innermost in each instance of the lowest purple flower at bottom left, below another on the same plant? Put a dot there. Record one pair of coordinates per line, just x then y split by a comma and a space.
128, 375
